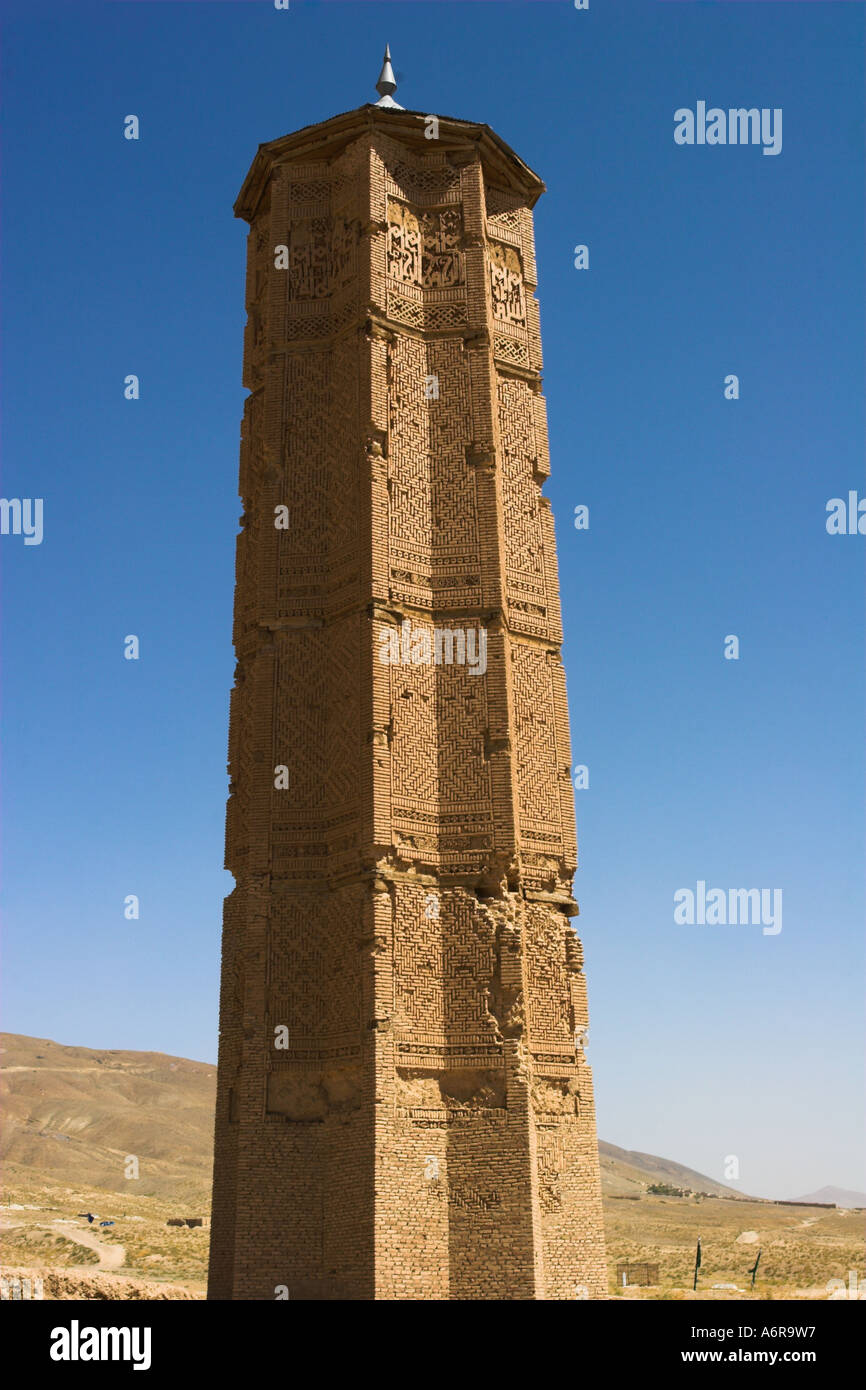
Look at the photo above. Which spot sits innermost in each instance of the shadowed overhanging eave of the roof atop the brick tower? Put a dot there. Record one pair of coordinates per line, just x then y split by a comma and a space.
329, 138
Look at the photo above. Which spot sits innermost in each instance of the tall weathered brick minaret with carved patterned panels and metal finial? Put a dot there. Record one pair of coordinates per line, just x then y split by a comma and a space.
404, 1104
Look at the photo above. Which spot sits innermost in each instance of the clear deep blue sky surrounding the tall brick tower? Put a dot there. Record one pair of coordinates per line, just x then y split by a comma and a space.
707, 516
